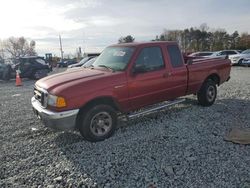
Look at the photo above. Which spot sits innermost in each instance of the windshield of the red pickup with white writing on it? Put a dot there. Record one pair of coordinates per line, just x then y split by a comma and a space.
115, 58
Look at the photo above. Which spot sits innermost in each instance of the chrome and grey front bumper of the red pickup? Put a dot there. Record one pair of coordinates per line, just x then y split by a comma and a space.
65, 120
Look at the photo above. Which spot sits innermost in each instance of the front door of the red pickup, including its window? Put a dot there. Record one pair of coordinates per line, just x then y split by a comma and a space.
147, 84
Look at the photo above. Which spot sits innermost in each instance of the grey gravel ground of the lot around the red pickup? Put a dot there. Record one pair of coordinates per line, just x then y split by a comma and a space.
182, 146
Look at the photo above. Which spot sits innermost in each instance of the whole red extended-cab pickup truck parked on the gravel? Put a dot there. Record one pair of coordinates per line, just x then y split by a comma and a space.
123, 79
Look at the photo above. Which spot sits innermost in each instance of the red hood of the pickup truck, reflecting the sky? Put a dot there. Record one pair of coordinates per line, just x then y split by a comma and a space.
65, 77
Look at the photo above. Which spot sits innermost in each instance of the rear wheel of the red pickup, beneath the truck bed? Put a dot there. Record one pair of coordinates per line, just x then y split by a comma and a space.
207, 94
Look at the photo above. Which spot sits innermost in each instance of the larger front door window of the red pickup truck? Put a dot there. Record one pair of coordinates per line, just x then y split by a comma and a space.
149, 59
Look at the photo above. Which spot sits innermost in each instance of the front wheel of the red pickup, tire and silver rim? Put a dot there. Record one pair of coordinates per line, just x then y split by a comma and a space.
98, 122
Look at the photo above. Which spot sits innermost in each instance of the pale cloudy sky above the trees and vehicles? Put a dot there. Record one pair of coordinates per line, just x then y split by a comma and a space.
94, 24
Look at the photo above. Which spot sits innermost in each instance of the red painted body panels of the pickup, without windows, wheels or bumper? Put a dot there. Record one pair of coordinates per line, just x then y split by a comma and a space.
132, 91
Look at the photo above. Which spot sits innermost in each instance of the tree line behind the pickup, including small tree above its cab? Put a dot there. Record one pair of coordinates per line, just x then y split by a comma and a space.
201, 39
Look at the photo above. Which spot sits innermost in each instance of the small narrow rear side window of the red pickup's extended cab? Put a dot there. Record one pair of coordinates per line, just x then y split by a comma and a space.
175, 55
